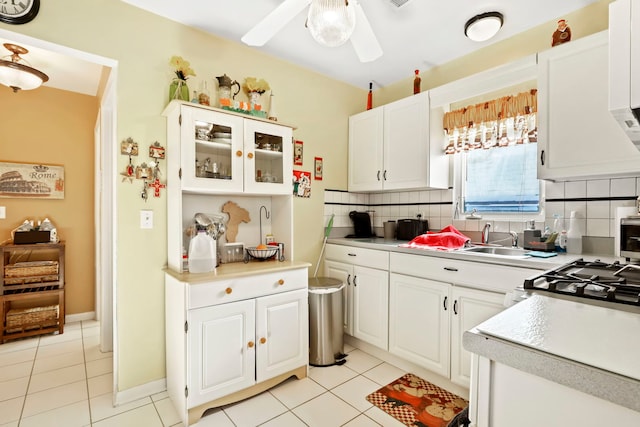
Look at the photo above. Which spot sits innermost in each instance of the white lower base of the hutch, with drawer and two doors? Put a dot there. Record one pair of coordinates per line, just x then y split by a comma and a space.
226, 336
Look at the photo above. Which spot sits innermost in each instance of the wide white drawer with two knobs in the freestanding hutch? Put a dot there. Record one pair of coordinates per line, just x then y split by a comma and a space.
224, 291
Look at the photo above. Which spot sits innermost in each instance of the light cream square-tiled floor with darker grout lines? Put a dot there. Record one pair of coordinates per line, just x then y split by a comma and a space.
65, 381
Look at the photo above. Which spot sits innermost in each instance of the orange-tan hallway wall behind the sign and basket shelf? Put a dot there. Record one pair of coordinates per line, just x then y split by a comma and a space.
37, 129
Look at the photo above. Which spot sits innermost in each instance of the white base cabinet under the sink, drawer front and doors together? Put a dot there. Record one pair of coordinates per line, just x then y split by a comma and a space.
433, 301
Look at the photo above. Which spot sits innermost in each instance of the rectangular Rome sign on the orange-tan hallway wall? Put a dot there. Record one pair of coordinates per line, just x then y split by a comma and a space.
27, 180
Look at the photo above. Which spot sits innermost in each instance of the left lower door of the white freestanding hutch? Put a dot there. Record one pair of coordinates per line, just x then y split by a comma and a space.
221, 350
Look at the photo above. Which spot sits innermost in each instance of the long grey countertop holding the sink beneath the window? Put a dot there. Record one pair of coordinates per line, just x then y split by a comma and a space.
525, 262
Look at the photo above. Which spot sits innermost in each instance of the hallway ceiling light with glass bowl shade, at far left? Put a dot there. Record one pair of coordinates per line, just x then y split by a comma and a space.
15, 74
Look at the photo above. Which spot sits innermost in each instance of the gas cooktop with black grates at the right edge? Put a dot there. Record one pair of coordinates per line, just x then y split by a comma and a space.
614, 285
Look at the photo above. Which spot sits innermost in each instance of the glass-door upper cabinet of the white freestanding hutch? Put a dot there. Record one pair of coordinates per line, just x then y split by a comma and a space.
223, 152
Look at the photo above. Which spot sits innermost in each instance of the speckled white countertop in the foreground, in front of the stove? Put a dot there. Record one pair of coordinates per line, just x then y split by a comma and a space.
586, 347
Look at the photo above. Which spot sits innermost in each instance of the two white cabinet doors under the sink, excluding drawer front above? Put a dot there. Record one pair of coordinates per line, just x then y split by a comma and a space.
427, 319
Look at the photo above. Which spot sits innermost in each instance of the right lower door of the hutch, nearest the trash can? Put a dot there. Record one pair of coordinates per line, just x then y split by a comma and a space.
282, 333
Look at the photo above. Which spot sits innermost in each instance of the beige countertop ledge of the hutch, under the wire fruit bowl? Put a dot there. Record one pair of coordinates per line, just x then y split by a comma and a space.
238, 269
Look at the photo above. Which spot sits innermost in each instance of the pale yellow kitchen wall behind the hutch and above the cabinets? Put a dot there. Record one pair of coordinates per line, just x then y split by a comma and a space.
142, 44
